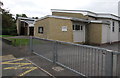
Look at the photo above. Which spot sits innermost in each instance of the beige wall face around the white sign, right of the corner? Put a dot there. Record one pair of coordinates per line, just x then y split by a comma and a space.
56, 32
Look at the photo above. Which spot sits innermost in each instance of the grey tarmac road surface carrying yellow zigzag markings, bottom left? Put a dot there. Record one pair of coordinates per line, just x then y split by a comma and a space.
20, 67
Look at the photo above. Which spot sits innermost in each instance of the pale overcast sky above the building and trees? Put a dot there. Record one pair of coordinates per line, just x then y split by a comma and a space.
40, 8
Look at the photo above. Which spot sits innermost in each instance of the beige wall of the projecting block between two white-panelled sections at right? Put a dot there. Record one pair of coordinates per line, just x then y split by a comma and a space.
94, 33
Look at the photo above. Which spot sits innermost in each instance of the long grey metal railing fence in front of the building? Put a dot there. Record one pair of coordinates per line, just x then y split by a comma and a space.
82, 59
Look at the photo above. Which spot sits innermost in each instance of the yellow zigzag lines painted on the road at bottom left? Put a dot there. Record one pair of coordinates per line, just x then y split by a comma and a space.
19, 66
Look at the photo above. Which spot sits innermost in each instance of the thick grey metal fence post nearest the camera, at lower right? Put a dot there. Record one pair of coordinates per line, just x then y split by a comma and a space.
109, 63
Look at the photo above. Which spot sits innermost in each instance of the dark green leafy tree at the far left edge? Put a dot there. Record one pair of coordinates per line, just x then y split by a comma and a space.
8, 23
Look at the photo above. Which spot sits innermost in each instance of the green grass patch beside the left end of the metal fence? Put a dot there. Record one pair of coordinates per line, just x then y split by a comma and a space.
19, 42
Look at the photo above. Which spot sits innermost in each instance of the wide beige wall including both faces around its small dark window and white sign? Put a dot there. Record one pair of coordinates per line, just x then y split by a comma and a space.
53, 29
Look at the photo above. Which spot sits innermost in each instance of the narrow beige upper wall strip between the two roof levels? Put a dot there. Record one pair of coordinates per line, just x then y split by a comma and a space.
77, 15
